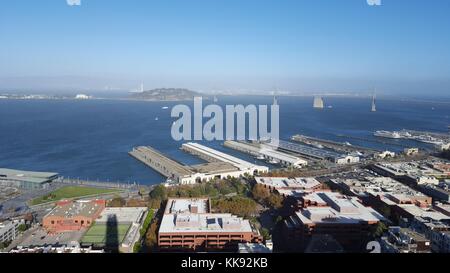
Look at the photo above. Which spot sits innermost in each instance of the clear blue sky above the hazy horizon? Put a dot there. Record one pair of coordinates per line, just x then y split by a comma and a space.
295, 45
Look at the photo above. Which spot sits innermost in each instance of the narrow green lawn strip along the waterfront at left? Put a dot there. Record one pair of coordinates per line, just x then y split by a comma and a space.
70, 192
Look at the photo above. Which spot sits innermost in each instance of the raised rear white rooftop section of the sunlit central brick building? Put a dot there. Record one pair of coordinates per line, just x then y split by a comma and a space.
183, 205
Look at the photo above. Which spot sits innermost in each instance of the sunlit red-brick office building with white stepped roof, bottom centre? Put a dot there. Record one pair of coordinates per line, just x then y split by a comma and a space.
187, 225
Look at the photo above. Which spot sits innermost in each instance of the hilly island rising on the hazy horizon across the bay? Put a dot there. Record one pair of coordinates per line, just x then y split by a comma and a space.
167, 94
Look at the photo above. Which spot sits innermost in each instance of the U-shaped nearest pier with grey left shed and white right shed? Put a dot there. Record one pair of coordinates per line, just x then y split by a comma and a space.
220, 165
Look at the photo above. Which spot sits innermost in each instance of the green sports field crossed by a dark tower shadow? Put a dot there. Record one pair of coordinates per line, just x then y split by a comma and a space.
100, 234
